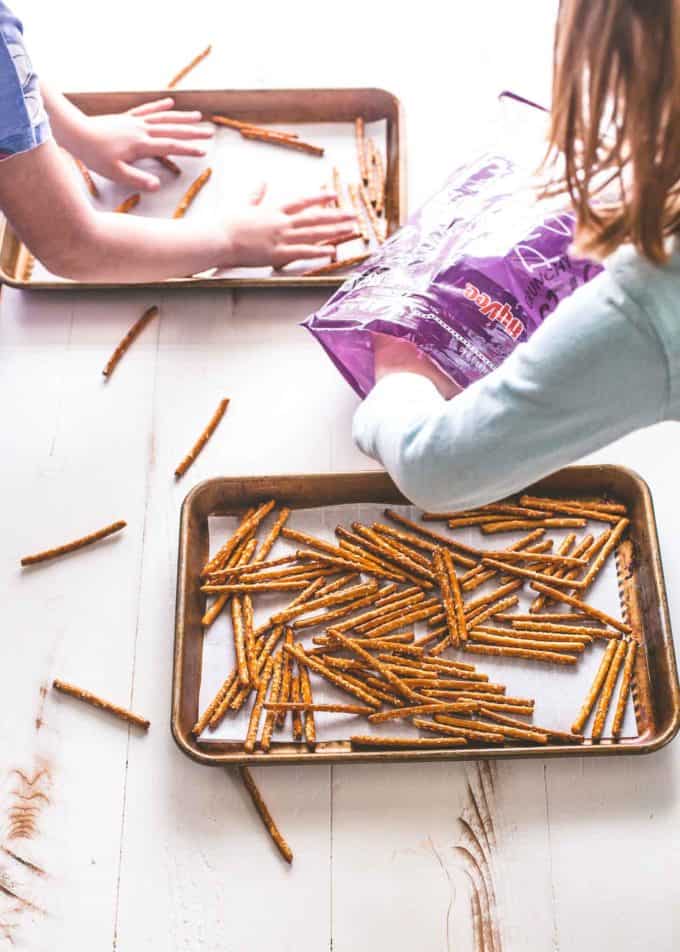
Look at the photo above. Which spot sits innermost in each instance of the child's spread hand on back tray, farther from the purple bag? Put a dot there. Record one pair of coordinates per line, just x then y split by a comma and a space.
110, 144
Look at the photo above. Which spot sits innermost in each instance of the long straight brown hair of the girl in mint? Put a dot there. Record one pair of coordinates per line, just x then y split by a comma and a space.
615, 124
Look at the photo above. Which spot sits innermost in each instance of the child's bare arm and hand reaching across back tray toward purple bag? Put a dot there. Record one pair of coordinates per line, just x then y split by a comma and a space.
42, 199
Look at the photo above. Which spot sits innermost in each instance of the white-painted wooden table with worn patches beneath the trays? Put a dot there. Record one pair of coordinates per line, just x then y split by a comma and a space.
140, 847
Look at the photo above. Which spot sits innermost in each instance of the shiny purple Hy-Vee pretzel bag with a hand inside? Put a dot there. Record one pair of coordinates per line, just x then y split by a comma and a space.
471, 274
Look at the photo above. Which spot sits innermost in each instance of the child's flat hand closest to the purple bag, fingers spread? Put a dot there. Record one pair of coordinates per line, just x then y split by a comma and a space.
270, 235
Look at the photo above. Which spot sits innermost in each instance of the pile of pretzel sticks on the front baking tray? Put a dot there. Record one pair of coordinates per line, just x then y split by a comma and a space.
363, 597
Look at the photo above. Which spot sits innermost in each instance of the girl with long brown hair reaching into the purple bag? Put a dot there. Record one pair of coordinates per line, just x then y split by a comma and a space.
608, 360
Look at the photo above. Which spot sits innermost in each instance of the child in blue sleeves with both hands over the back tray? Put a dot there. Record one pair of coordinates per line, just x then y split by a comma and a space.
46, 206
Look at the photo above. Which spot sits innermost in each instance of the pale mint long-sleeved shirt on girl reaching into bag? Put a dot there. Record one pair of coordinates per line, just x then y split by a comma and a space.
607, 362
